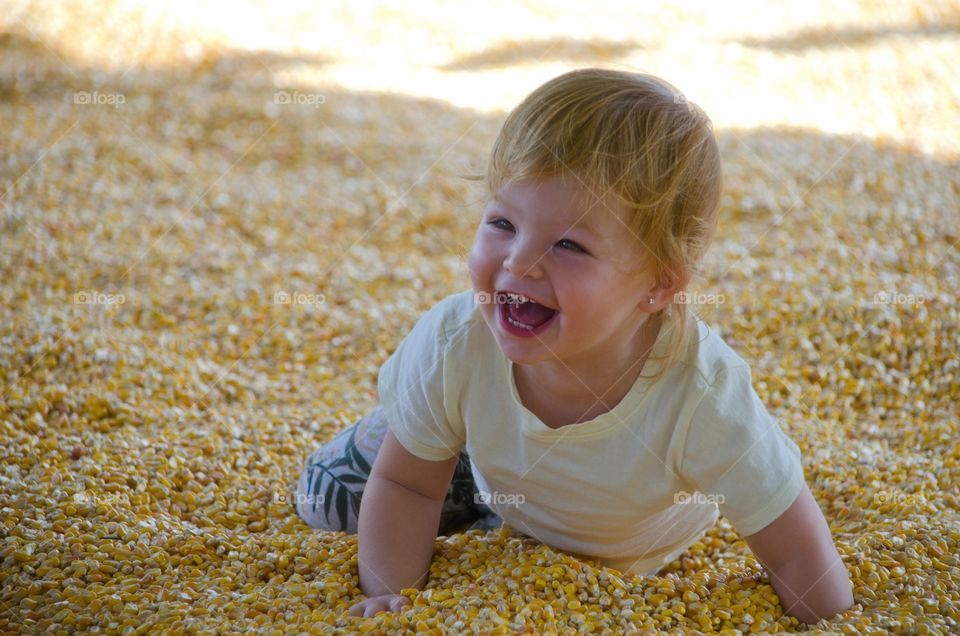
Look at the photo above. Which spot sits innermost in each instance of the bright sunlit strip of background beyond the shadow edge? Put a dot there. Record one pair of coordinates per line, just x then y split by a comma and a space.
882, 69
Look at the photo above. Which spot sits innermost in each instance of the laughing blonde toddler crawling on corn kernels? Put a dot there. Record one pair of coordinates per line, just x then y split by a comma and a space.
573, 393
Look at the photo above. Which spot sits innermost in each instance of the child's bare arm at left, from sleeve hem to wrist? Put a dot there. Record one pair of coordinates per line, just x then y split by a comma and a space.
399, 518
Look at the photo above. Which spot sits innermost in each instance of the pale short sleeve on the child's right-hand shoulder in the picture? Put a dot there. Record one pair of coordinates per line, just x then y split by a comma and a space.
736, 452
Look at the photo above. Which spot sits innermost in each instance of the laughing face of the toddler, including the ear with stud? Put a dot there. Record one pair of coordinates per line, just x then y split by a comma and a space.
528, 243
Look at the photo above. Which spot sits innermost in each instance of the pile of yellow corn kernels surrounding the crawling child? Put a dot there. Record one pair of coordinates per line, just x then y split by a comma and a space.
206, 256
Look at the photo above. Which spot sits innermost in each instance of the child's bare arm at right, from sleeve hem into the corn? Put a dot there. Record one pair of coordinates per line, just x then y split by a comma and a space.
804, 566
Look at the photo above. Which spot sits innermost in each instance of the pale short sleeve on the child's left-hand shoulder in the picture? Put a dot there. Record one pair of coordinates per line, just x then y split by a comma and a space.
416, 390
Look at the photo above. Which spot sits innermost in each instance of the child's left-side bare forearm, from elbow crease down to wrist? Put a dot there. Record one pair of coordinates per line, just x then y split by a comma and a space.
397, 528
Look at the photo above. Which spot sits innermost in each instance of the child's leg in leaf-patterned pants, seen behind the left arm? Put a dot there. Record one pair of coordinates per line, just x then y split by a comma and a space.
331, 484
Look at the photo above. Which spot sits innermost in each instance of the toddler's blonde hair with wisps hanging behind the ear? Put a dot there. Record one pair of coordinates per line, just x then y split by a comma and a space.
633, 135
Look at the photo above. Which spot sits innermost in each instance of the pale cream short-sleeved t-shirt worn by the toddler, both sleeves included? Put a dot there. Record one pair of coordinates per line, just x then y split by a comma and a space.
632, 488
